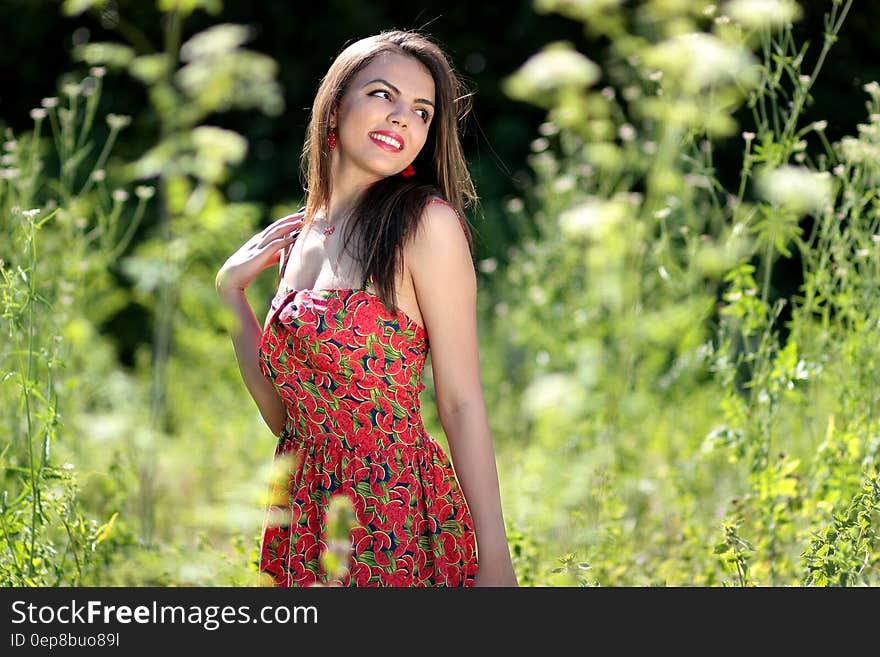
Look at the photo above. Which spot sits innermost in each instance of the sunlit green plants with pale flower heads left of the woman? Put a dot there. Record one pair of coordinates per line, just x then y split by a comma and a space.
149, 503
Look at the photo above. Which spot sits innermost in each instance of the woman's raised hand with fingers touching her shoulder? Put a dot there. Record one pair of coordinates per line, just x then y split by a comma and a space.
259, 252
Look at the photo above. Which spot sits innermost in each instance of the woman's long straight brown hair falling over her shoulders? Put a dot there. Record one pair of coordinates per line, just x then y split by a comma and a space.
388, 210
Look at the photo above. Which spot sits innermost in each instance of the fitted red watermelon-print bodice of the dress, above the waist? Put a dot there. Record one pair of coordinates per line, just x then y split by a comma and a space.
340, 351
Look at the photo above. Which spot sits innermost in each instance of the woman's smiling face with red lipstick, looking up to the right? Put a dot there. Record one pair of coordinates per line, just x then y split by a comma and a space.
389, 100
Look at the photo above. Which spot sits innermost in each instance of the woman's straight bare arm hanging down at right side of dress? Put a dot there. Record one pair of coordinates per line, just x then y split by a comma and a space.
445, 283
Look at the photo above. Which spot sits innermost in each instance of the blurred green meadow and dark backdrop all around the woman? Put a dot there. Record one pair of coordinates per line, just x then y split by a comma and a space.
677, 260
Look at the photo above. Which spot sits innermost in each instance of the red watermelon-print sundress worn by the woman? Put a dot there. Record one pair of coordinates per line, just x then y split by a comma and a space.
349, 373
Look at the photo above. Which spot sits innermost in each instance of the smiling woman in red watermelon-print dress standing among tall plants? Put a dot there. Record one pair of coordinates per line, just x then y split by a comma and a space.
336, 369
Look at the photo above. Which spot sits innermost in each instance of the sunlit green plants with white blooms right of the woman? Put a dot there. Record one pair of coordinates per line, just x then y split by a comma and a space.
670, 429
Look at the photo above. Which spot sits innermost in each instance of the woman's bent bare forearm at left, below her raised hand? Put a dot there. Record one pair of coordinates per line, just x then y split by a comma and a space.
246, 341
